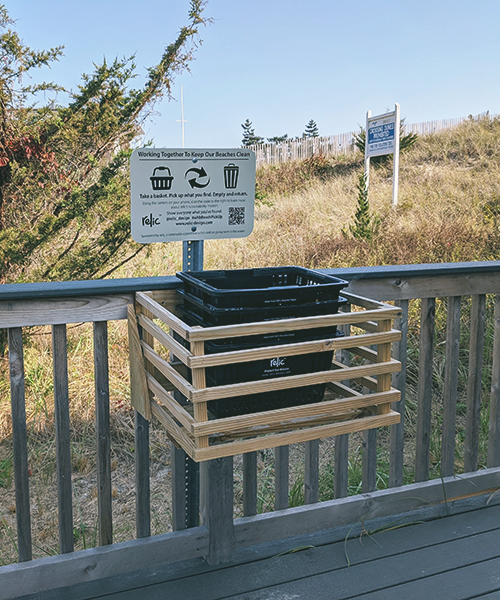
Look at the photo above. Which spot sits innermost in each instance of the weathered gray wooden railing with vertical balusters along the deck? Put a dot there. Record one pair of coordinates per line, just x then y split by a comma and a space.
208, 491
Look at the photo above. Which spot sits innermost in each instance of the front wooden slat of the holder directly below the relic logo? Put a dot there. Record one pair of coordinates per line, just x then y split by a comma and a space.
254, 387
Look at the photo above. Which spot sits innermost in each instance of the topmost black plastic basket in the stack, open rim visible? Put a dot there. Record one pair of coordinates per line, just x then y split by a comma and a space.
261, 287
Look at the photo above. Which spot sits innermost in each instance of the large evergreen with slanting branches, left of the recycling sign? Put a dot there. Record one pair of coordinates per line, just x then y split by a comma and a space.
64, 170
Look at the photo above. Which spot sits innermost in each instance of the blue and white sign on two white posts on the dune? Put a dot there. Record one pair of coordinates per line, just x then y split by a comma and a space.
382, 137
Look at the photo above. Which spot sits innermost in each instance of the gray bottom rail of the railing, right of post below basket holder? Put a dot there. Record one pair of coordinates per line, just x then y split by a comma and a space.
361, 508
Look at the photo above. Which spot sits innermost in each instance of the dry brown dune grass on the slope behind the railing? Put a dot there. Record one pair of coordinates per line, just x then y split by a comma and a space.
449, 210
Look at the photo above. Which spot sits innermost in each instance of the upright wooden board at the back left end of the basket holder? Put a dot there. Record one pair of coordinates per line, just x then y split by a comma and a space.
138, 385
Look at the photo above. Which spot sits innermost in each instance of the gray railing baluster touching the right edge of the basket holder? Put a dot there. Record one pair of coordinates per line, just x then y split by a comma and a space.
399, 382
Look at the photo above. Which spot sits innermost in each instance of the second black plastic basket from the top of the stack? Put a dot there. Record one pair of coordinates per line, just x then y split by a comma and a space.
215, 316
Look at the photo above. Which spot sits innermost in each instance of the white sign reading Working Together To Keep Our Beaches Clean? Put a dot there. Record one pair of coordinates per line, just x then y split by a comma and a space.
191, 193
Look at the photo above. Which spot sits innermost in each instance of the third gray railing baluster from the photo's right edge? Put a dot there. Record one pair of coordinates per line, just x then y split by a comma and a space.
450, 391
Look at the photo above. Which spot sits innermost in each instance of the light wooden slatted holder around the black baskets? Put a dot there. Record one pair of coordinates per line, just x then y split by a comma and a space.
346, 407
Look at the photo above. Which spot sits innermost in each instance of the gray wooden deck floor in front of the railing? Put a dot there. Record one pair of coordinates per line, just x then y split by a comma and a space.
452, 558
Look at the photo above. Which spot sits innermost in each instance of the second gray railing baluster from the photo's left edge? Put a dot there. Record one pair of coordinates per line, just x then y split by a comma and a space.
63, 445
